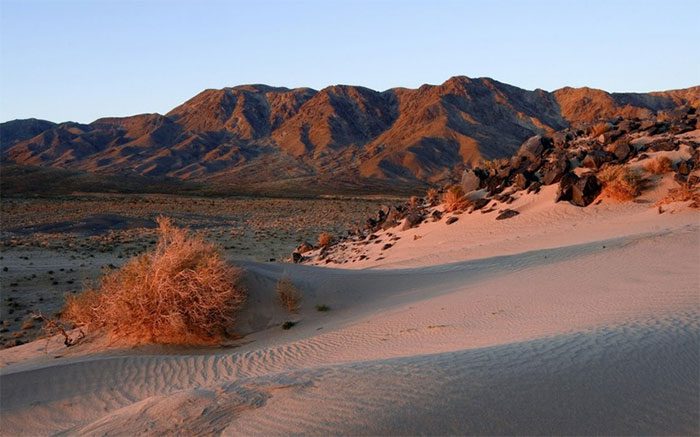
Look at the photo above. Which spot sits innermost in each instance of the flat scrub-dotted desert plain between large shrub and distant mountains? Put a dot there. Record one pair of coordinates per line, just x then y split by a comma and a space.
54, 246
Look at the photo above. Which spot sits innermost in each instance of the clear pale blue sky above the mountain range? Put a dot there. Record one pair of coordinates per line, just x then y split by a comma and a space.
80, 60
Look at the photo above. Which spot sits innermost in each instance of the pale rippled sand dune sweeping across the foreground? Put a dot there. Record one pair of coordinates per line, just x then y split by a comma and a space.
561, 320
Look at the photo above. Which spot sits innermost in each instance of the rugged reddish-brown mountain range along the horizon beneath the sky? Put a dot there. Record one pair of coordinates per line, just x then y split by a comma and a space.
341, 138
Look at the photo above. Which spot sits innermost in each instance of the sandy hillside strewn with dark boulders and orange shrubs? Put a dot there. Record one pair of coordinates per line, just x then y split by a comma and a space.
654, 164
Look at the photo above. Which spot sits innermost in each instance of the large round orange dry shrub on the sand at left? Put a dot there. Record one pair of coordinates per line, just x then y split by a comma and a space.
181, 292
